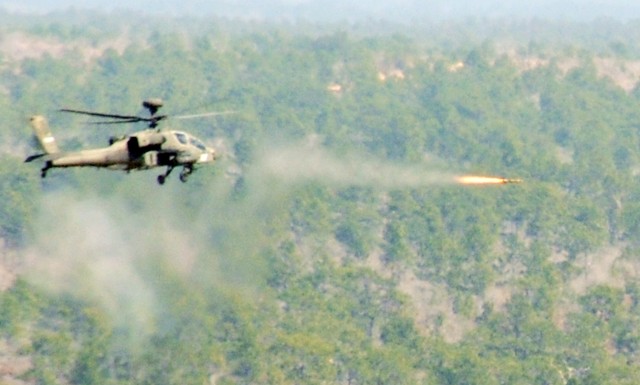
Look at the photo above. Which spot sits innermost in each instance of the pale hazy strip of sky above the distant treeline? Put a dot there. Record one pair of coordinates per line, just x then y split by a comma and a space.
338, 10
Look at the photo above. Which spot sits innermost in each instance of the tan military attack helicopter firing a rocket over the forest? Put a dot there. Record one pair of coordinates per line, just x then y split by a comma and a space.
142, 150
